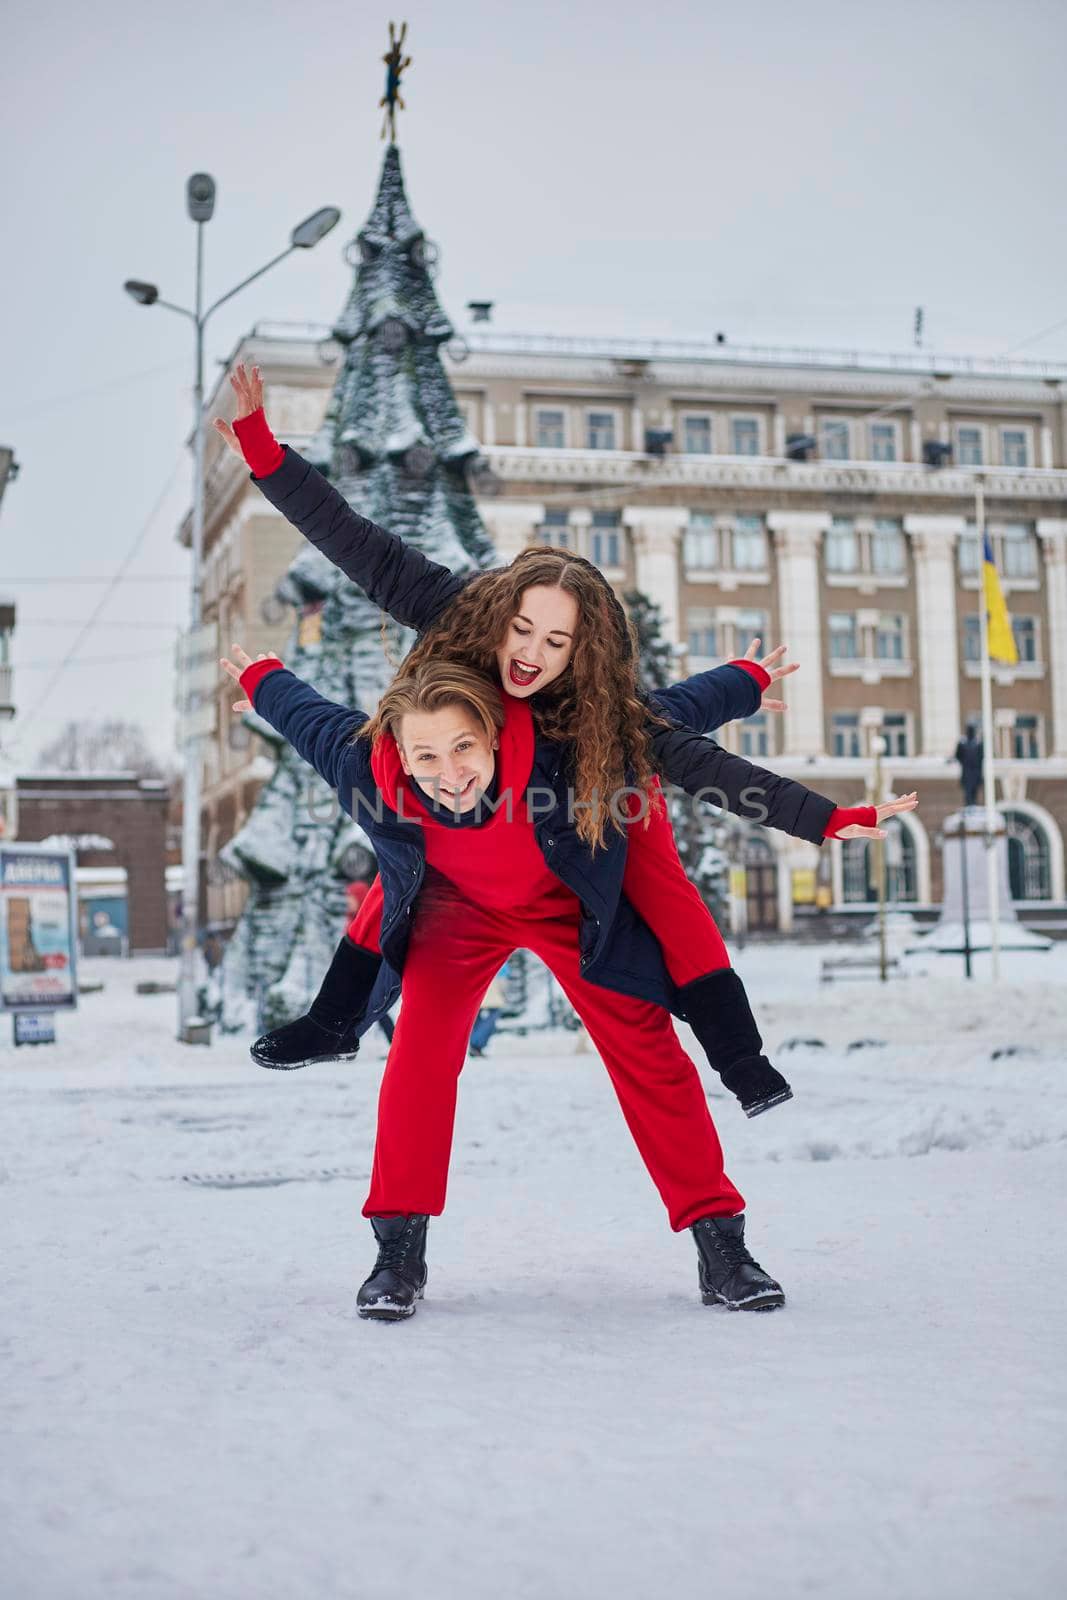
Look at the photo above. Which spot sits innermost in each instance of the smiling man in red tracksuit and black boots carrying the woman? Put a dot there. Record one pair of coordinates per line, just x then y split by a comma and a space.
479, 886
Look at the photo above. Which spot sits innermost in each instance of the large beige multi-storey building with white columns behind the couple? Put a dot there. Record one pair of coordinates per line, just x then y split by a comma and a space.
785, 494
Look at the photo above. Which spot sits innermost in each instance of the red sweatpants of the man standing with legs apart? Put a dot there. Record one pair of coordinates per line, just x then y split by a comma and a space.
455, 951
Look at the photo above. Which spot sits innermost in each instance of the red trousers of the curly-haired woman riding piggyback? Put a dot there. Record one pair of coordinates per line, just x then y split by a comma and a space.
655, 886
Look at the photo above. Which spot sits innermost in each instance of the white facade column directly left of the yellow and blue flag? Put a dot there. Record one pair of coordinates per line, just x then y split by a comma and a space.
933, 545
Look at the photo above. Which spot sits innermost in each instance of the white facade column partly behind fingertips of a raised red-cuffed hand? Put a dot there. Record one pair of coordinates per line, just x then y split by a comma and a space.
797, 535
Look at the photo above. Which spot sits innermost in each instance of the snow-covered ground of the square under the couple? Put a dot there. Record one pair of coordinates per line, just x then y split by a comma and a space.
191, 1407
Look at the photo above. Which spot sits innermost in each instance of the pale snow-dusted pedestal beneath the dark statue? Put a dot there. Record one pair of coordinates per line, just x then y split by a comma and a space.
967, 854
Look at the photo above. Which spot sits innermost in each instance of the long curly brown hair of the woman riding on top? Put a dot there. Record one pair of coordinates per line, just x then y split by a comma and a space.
594, 705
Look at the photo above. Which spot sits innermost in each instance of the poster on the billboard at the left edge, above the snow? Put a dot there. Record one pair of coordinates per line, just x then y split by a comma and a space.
38, 929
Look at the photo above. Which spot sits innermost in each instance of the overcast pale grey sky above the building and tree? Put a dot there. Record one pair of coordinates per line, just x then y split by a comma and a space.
786, 174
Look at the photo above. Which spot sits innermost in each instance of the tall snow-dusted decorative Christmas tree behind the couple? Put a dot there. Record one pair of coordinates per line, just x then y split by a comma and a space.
396, 446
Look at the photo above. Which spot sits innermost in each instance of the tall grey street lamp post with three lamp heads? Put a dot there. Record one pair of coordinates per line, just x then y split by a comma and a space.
201, 206
